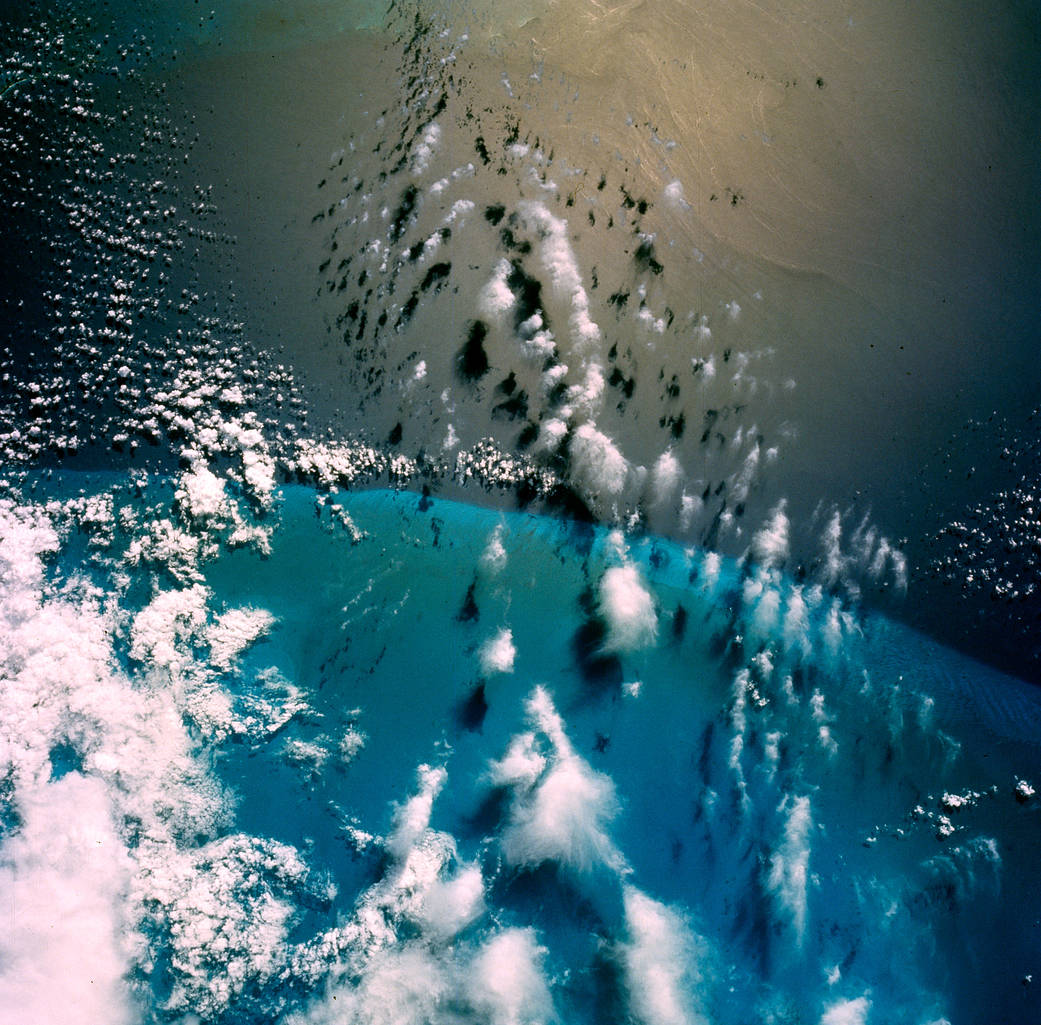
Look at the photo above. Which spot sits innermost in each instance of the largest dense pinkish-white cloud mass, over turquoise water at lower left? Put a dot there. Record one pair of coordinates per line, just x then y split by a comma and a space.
135, 768
